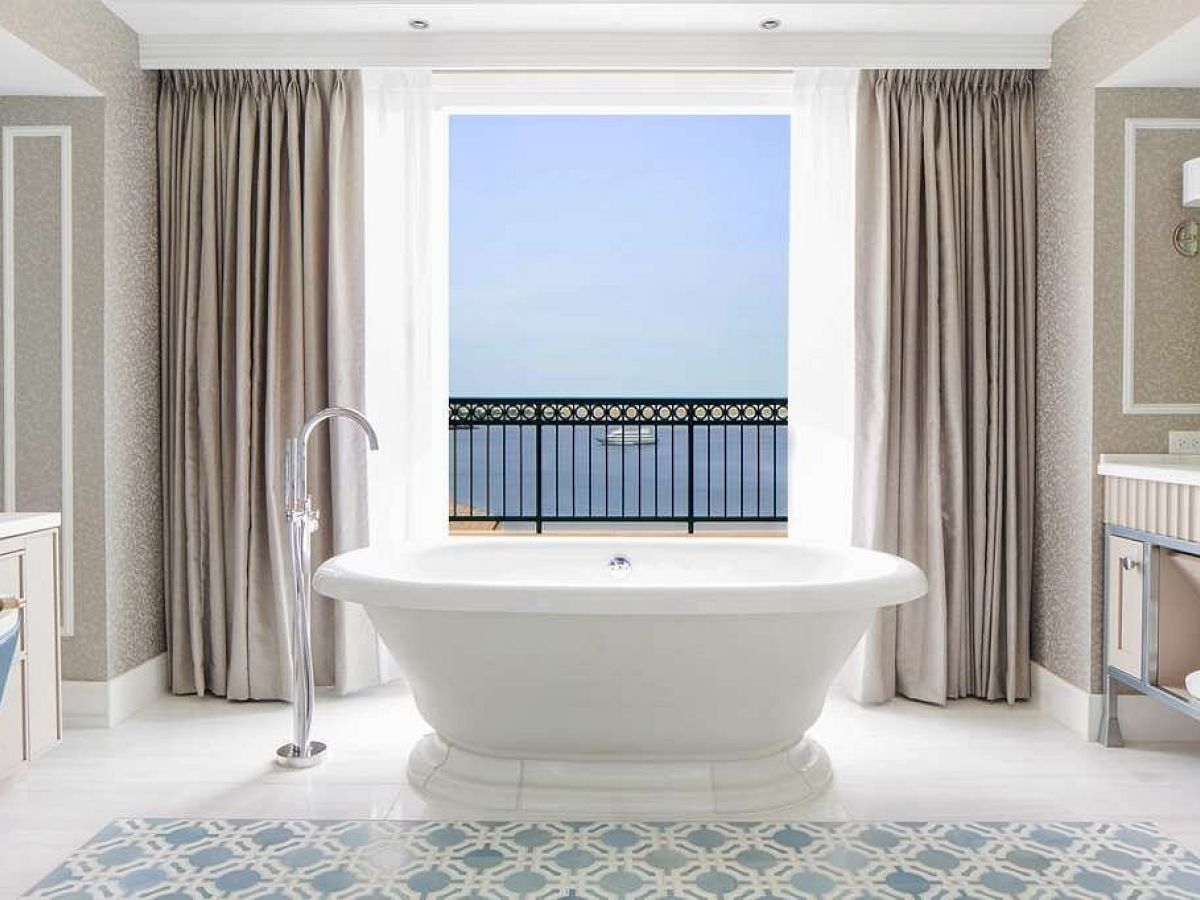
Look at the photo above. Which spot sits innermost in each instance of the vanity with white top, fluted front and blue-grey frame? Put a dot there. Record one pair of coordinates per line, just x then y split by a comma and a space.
1151, 583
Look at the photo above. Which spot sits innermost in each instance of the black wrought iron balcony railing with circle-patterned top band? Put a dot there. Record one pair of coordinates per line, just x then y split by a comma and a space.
619, 460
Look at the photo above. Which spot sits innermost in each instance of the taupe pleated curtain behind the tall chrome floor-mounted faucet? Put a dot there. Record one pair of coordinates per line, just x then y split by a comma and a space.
261, 241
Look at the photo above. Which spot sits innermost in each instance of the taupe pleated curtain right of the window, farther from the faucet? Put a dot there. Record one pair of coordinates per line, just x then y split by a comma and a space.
945, 337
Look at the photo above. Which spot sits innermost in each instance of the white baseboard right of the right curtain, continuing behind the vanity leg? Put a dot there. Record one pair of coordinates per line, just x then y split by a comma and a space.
1142, 718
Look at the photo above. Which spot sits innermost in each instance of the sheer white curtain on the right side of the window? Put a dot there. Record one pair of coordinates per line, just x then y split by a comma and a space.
821, 315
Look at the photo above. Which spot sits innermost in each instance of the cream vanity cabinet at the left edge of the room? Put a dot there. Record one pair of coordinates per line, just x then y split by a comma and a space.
32, 710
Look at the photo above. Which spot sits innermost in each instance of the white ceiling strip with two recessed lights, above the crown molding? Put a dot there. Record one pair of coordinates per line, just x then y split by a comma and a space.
244, 17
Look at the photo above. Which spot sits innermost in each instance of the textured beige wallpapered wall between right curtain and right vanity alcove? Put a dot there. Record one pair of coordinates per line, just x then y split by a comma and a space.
1105, 35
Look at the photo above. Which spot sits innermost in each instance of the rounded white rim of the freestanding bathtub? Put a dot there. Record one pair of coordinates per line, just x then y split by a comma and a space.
350, 578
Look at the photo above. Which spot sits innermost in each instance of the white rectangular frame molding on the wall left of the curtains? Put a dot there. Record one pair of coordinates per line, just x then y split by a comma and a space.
67, 346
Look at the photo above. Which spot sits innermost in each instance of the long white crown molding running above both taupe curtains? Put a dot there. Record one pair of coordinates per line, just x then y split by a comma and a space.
596, 51
